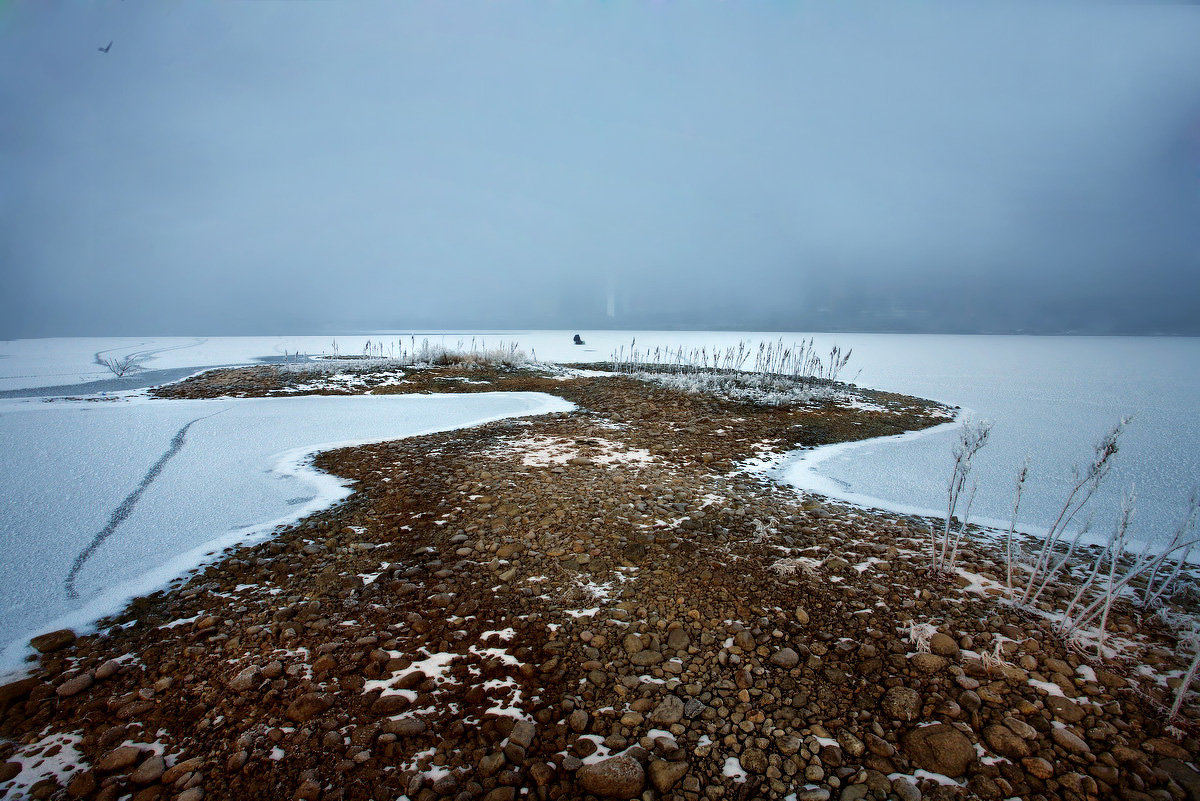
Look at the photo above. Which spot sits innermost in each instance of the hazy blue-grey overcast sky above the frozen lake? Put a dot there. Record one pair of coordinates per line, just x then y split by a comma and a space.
307, 167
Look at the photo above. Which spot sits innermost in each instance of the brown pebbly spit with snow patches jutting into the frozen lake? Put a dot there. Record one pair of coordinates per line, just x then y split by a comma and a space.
609, 604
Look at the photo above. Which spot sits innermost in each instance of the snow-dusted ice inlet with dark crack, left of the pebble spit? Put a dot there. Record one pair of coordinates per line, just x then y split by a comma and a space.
238, 472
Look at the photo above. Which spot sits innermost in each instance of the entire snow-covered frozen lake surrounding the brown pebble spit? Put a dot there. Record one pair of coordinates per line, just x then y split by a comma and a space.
68, 466
